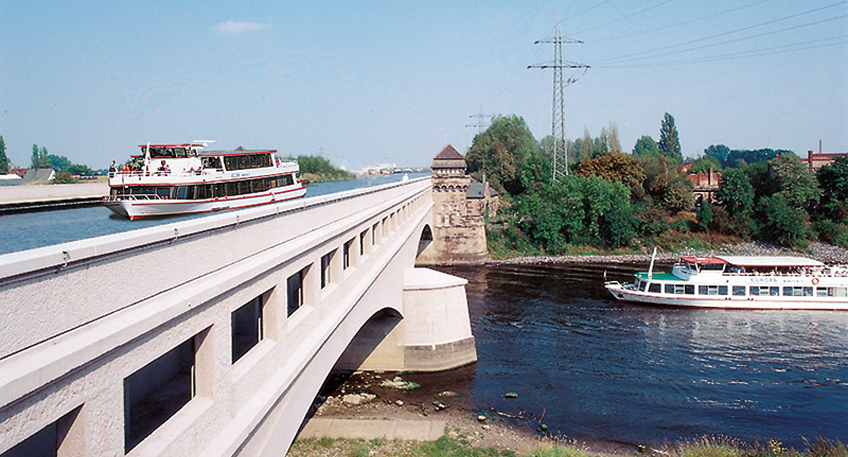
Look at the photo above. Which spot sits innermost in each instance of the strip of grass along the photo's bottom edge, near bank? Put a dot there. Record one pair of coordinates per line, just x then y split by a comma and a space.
453, 445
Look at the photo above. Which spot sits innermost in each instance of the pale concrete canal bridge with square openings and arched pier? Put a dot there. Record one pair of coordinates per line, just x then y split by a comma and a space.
212, 336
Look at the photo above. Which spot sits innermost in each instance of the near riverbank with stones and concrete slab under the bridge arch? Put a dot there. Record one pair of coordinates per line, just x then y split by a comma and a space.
394, 400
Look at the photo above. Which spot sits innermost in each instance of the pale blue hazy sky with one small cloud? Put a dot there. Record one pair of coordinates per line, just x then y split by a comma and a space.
374, 82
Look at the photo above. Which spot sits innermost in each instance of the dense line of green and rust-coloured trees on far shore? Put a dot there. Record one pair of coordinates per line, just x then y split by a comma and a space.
615, 200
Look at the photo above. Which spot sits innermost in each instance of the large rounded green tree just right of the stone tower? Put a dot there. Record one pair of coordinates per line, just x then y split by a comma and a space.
514, 161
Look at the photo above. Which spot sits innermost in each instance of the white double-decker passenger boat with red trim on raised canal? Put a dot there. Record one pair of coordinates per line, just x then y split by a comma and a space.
170, 179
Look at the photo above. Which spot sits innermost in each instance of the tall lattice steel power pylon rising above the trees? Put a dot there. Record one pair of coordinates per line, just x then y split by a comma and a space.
559, 167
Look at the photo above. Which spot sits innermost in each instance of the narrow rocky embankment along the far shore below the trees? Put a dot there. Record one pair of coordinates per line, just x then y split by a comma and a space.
822, 252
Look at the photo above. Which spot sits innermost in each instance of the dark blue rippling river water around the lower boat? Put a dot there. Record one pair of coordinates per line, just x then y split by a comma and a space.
600, 368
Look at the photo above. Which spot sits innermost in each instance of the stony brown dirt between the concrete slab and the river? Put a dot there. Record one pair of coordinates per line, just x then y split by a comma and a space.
390, 395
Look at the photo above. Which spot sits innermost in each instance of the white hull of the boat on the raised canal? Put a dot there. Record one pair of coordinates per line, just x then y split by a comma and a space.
146, 208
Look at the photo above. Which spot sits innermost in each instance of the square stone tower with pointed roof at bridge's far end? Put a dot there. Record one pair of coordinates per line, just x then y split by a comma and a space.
459, 208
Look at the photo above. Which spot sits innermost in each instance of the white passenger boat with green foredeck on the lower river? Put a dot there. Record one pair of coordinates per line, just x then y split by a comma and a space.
740, 282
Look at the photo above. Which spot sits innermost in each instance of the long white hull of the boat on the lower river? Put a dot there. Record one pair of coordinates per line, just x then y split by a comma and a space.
626, 293
